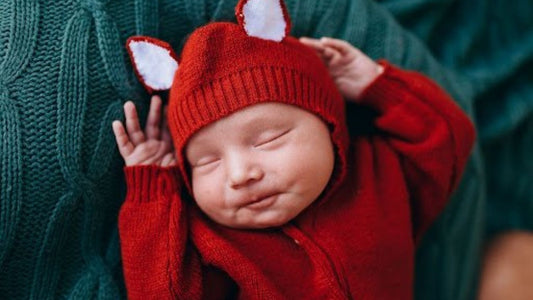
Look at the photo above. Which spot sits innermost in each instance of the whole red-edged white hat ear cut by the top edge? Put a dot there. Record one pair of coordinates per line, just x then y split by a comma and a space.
265, 19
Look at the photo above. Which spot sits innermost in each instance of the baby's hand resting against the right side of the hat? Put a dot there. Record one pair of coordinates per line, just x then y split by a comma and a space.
352, 70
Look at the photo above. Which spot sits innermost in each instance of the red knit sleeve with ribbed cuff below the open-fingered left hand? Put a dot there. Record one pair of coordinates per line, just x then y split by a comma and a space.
158, 260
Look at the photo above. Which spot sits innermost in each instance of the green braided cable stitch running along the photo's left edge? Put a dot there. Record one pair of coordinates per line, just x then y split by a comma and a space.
15, 59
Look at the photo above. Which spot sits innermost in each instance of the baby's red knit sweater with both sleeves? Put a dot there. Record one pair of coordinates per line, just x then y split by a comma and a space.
357, 242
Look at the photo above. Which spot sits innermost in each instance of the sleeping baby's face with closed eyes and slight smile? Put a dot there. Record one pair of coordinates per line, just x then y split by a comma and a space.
260, 166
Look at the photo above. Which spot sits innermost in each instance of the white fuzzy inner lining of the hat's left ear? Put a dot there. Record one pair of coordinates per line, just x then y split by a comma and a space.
154, 64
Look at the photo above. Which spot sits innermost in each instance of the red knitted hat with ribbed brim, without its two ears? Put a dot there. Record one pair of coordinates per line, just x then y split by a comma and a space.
222, 70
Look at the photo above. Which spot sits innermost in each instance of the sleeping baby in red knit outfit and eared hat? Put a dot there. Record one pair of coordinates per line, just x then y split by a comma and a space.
256, 190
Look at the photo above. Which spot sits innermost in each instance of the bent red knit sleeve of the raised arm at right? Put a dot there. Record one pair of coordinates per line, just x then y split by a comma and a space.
430, 133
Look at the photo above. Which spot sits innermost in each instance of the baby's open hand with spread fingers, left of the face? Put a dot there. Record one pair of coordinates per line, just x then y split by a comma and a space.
151, 147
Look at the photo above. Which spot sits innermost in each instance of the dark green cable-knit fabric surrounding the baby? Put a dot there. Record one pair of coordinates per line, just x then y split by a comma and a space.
64, 75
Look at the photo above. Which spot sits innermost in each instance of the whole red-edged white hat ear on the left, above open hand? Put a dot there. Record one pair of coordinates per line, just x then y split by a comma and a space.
154, 62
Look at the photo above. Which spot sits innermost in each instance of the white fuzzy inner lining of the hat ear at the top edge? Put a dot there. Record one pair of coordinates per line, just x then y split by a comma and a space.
264, 19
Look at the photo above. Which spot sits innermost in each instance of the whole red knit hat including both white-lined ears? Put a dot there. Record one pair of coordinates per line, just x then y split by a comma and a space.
225, 67
